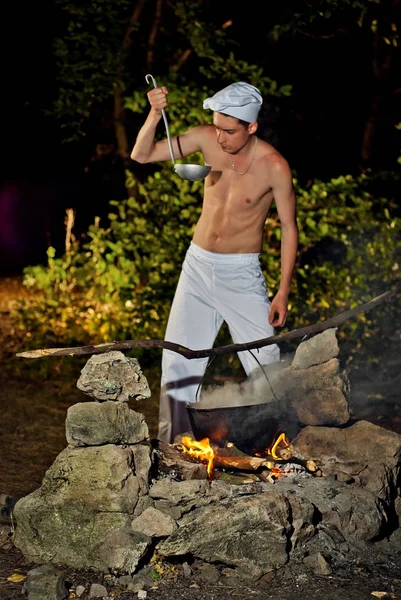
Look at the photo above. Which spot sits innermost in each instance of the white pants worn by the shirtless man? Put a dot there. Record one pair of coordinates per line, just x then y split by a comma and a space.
212, 288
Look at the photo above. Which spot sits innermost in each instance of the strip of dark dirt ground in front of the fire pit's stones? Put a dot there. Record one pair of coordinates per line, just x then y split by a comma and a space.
360, 579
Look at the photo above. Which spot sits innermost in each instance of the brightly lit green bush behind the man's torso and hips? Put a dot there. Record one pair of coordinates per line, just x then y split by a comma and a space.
119, 284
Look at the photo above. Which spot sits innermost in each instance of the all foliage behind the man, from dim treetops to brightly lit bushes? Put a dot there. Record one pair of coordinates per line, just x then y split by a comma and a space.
118, 283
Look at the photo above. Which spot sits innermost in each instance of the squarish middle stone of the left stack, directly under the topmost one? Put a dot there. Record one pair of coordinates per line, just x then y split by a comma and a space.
94, 424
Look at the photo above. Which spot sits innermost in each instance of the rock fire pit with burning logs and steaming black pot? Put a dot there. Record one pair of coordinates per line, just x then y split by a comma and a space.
324, 491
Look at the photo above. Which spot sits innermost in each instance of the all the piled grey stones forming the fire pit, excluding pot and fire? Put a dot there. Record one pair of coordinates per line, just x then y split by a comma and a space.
98, 509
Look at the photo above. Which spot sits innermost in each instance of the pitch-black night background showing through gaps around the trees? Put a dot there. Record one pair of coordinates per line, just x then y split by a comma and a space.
320, 129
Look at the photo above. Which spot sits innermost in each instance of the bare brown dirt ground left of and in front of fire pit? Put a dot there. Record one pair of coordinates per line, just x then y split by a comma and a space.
34, 398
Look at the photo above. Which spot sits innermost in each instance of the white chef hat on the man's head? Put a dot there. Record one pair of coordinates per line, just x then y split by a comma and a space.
241, 100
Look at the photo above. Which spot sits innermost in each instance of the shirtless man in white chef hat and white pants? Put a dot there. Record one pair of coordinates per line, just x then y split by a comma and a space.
221, 278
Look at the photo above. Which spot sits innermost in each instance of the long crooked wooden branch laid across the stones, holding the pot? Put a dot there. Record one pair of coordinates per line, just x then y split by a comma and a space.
229, 349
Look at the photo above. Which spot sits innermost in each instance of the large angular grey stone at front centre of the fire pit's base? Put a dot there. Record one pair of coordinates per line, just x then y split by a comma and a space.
250, 533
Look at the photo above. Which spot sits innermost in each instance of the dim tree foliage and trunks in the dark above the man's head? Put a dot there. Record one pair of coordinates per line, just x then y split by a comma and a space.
106, 47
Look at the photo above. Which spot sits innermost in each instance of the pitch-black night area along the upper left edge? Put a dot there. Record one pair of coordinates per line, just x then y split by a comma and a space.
40, 175
